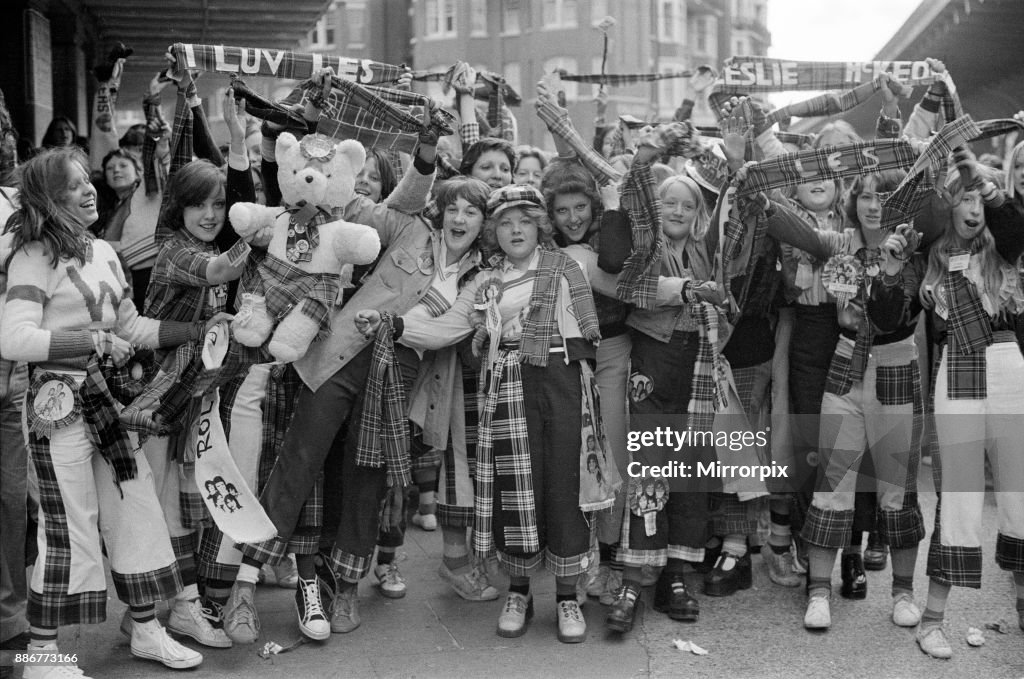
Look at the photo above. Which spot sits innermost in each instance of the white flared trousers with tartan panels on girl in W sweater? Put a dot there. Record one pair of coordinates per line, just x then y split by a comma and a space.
82, 511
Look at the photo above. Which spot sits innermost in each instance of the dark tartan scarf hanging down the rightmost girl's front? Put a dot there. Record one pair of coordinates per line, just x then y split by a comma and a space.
969, 331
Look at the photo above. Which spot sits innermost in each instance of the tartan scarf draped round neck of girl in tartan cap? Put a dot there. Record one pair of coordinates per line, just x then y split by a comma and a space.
540, 325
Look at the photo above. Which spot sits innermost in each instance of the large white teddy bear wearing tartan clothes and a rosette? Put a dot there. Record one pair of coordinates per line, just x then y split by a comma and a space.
308, 245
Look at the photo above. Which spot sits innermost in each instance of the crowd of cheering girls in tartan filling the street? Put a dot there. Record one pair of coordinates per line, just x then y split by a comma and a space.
529, 311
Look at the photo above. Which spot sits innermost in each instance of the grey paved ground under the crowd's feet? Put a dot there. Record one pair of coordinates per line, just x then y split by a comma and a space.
757, 633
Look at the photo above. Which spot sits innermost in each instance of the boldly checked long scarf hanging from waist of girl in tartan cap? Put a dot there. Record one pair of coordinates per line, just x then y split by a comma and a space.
502, 435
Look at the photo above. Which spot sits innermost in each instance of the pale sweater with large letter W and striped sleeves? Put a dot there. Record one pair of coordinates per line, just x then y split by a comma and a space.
50, 312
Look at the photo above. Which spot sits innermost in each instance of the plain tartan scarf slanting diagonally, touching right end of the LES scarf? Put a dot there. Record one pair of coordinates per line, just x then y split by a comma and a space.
905, 203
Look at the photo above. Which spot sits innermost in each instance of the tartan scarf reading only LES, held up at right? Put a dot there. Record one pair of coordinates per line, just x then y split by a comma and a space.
814, 164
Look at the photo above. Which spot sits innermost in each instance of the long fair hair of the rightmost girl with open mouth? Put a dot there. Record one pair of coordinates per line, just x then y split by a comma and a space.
993, 266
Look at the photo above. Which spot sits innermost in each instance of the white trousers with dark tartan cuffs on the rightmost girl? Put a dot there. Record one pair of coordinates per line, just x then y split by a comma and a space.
967, 431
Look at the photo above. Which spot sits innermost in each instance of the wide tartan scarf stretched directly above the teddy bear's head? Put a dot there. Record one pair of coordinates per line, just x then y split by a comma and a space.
377, 117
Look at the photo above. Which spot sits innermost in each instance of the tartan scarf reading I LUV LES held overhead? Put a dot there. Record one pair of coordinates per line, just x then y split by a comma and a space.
281, 63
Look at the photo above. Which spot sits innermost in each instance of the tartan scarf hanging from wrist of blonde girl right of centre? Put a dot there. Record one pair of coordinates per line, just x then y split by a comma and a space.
710, 389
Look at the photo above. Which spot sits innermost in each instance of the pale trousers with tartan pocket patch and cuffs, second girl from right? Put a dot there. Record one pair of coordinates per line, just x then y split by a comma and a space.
881, 415
